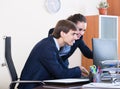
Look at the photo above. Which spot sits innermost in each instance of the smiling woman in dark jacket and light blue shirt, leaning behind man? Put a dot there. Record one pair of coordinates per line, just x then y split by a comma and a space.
67, 51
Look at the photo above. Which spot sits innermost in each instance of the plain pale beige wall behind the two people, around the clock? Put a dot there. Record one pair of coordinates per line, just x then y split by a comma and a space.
28, 21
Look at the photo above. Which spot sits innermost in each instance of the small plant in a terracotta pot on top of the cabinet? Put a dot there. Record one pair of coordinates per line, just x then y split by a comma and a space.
102, 7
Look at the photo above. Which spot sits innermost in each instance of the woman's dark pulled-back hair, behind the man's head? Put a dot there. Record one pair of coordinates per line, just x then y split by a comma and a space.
77, 17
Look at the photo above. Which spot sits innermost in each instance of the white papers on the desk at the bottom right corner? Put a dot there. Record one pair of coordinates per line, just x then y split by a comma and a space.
102, 85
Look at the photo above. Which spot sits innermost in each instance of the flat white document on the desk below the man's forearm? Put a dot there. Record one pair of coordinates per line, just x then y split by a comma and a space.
66, 81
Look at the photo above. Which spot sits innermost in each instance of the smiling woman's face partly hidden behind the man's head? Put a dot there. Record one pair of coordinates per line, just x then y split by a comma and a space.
81, 28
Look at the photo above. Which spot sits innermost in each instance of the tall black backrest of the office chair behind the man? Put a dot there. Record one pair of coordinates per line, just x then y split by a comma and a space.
9, 60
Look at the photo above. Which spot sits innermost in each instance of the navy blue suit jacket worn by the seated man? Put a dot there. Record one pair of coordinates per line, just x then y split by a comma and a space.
44, 63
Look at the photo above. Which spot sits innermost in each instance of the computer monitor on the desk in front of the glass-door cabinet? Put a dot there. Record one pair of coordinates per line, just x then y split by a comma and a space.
103, 49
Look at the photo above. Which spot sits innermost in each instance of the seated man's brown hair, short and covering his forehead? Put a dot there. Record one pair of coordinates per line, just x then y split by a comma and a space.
65, 26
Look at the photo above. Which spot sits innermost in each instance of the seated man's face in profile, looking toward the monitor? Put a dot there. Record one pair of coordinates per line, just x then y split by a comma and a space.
70, 37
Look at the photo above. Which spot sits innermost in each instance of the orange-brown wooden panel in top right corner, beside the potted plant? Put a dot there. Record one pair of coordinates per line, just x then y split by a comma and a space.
114, 8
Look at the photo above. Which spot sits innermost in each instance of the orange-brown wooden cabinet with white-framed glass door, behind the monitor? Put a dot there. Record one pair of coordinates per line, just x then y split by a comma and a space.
101, 26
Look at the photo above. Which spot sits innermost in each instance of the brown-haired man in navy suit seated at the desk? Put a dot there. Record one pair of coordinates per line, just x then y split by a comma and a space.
44, 62
